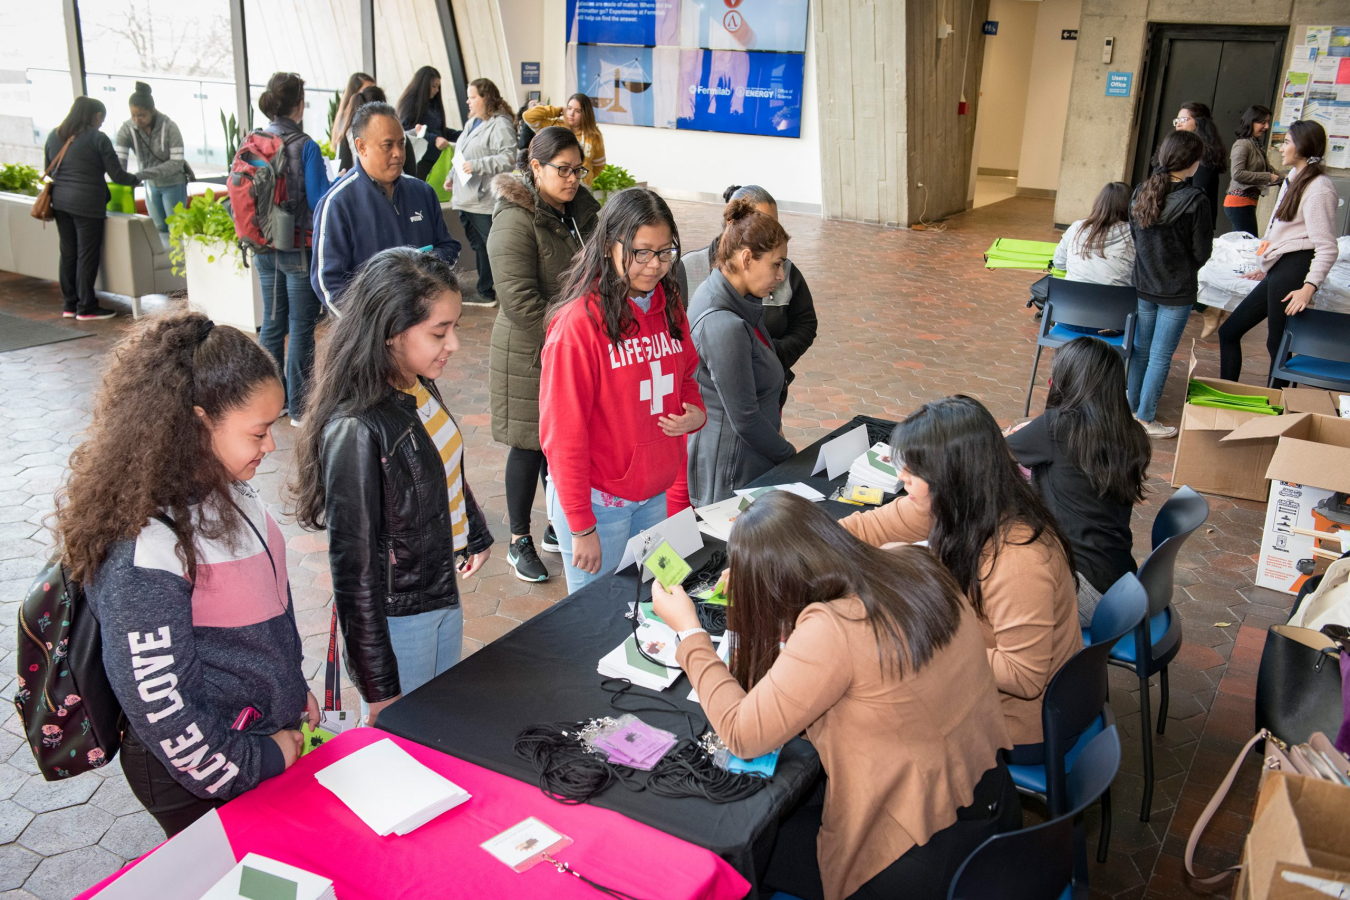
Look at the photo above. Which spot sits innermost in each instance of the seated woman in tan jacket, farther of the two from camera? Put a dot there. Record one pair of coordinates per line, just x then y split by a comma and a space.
967, 499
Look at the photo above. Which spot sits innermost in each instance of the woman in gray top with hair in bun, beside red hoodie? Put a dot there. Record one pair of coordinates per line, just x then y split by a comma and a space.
739, 372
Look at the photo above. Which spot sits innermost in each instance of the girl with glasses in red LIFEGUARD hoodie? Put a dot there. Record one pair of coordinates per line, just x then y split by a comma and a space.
618, 392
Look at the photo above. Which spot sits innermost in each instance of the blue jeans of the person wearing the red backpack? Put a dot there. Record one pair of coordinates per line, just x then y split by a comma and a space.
290, 306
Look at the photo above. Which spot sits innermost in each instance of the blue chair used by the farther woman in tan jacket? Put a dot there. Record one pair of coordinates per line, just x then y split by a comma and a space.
1075, 708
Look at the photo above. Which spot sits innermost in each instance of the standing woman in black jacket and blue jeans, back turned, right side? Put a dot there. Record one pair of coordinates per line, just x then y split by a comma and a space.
1174, 235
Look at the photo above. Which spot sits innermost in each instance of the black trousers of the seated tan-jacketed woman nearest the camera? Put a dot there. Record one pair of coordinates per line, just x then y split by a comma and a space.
924, 874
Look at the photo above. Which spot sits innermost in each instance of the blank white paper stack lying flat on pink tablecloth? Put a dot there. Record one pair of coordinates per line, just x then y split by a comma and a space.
389, 790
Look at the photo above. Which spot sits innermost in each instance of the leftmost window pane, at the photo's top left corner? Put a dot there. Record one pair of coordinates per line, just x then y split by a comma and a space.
36, 91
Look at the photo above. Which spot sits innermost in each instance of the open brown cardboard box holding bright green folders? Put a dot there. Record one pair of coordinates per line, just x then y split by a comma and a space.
1209, 459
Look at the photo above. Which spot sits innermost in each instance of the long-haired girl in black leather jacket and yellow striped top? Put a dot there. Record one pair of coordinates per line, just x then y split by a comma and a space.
381, 466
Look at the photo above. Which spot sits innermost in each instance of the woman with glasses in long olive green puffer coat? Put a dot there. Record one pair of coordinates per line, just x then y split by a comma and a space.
541, 221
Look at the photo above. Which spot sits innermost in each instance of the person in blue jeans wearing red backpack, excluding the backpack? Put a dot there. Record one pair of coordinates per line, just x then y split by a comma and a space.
291, 306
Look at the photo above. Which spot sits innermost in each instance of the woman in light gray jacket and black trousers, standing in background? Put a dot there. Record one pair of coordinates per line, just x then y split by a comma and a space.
485, 150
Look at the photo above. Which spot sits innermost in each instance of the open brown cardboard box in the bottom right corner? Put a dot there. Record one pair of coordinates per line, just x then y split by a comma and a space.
1301, 822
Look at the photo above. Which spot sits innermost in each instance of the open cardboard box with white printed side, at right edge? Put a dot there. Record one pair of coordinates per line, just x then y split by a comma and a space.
1312, 462
